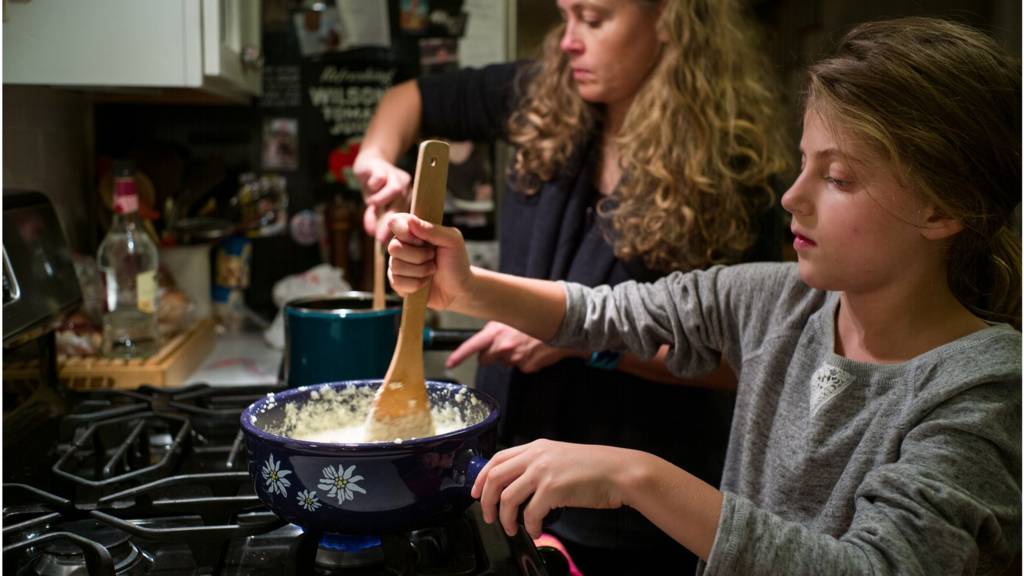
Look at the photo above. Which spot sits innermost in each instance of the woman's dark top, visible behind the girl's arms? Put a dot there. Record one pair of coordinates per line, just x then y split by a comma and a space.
556, 234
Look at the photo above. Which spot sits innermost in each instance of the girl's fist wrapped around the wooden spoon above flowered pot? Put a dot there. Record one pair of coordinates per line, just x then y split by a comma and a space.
422, 252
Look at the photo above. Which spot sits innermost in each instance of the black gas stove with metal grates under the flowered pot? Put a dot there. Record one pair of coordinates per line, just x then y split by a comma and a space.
154, 481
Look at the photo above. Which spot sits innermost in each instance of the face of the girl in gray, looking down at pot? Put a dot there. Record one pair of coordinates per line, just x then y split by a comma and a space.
858, 228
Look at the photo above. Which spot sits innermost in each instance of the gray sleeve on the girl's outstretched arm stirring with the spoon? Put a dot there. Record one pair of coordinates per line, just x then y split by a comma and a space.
701, 315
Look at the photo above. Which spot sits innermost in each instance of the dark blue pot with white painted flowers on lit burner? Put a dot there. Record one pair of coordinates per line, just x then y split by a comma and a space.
368, 488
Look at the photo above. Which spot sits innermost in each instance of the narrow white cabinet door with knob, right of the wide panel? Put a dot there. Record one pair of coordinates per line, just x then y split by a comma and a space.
233, 52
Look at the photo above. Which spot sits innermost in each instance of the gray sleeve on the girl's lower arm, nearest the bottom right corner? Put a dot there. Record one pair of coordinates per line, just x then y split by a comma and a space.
951, 505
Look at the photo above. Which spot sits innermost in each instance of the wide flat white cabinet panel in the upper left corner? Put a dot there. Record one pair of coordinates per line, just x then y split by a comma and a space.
104, 44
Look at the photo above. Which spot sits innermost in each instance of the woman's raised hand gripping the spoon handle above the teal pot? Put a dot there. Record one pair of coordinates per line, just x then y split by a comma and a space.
386, 190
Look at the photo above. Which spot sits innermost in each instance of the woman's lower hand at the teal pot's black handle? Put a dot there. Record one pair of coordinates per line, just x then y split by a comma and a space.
499, 343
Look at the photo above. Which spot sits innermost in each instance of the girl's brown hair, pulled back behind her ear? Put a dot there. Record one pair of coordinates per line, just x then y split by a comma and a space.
943, 103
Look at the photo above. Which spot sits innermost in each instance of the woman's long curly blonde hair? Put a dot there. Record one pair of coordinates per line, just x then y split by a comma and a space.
699, 147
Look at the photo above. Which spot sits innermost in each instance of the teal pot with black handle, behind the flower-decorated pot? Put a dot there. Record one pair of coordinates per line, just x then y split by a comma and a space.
342, 338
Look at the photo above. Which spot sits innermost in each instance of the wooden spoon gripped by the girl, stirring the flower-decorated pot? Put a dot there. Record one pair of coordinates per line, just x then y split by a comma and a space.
401, 409
